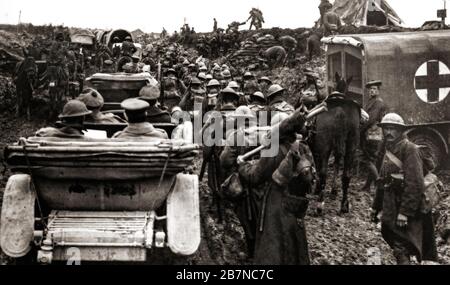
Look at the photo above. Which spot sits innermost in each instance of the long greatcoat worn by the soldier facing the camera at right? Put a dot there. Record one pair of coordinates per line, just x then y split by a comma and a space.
405, 198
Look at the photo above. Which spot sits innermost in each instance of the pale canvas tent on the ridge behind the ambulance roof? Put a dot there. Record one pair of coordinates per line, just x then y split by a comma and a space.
366, 12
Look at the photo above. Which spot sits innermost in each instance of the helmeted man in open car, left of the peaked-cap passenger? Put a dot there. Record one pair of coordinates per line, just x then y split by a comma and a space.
72, 118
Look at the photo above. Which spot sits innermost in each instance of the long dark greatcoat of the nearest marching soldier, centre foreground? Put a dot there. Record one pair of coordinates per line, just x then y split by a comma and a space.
283, 236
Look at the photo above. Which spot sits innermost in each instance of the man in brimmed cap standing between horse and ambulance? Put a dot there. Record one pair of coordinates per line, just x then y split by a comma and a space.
371, 133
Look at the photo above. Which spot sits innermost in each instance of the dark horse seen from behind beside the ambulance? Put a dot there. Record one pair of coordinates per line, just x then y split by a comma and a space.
337, 132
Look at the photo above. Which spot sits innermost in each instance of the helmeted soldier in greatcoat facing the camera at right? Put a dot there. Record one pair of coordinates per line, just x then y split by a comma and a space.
399, 197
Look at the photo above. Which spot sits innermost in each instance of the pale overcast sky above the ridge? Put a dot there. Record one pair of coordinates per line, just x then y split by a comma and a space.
152, 16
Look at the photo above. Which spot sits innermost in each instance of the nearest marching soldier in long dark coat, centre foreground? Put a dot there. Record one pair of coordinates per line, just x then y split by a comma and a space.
280, 230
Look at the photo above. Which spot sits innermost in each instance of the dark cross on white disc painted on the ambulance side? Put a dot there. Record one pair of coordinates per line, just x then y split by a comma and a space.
432, 81
